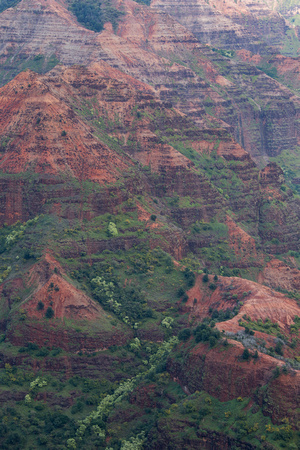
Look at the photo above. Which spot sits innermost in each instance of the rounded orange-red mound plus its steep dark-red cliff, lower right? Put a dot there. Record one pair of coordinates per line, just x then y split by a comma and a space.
221, 371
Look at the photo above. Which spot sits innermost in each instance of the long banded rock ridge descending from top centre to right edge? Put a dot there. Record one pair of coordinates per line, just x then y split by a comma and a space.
251, 121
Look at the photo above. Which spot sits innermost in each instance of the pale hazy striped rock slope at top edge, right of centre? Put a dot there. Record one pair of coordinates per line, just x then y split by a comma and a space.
227, 24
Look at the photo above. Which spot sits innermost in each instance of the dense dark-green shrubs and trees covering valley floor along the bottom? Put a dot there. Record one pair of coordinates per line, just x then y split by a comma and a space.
101, 404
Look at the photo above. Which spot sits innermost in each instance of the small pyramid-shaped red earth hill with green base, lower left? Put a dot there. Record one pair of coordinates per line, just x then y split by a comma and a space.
78, 323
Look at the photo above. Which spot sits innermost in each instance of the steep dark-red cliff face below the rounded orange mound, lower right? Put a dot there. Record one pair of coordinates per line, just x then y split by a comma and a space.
224, 374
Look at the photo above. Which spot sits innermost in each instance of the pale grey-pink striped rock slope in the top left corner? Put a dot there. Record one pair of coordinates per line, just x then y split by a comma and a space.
47, 27
